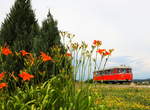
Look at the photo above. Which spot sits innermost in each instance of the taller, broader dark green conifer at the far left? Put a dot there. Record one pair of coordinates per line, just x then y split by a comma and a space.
20, 26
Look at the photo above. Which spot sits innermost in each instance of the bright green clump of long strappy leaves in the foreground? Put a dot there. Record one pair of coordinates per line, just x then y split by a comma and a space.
58, 93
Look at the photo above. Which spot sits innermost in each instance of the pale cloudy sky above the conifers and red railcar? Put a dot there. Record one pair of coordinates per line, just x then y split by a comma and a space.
120, 24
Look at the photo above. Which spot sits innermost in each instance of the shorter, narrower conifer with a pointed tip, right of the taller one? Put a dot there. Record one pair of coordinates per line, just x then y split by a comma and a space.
49, 32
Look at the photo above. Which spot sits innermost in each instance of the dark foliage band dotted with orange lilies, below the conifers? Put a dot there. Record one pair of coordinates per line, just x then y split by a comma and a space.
33, 67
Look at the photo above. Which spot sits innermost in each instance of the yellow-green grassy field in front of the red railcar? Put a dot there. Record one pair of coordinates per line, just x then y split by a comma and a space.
122, 97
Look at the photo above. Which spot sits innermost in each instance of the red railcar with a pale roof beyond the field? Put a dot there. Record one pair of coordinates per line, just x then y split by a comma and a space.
114, 74
